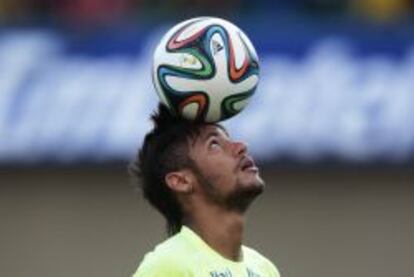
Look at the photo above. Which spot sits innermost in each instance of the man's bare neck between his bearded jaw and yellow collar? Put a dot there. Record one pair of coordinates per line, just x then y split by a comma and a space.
221, 230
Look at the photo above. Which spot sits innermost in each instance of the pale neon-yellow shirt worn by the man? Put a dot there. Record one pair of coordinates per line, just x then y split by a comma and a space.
186, 255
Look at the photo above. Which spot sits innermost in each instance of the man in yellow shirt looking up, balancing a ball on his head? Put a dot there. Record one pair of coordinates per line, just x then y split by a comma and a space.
202, 182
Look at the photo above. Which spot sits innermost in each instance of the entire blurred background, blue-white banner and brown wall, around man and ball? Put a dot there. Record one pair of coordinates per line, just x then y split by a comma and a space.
331, 124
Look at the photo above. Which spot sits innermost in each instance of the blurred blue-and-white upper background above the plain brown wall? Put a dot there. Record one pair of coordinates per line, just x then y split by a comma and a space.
336, 84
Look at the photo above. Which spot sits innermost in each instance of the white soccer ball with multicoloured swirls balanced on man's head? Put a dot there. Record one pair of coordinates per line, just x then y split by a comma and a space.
205, 69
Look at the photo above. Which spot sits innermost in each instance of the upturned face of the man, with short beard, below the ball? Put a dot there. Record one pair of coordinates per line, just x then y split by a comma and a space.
227, 174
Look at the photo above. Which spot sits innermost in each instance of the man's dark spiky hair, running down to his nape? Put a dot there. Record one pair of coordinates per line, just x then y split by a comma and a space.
165, 149
